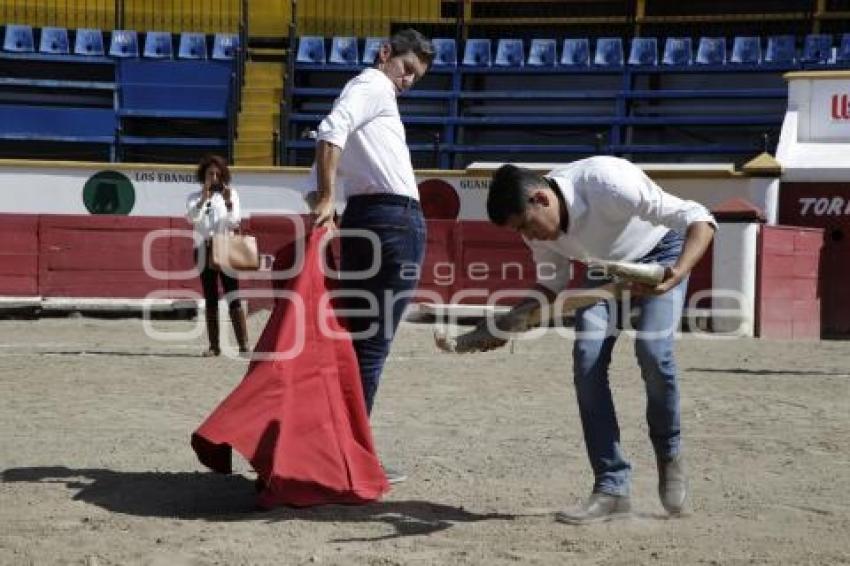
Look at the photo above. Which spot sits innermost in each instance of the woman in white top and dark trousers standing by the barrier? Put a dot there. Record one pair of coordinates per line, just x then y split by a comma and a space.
215, 210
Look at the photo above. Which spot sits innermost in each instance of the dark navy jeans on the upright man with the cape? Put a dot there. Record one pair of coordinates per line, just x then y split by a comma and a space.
399, 226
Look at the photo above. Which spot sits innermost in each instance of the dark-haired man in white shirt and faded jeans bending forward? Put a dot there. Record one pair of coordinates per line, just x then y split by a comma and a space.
607, 208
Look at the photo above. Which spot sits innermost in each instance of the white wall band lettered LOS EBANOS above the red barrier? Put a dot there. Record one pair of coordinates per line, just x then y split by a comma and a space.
161, 190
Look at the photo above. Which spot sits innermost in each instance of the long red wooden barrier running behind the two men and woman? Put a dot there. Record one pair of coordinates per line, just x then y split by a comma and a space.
103, 256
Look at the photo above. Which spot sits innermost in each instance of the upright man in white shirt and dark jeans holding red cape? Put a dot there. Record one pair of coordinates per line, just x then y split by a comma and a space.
364, 141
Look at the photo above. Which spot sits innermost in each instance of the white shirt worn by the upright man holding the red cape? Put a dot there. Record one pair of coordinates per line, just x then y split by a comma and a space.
366, 125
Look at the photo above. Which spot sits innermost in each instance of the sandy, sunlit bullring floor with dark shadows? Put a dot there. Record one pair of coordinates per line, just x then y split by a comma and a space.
96, 466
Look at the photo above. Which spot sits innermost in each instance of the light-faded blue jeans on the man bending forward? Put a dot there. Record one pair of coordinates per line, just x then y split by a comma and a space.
596, 332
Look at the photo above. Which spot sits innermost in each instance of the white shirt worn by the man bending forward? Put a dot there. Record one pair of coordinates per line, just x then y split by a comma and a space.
616, 212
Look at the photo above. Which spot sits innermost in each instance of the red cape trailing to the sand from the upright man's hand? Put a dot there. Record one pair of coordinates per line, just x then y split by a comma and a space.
299, 418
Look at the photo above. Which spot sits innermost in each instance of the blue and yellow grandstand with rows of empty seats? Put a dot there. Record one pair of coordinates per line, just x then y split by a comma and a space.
545, 80
